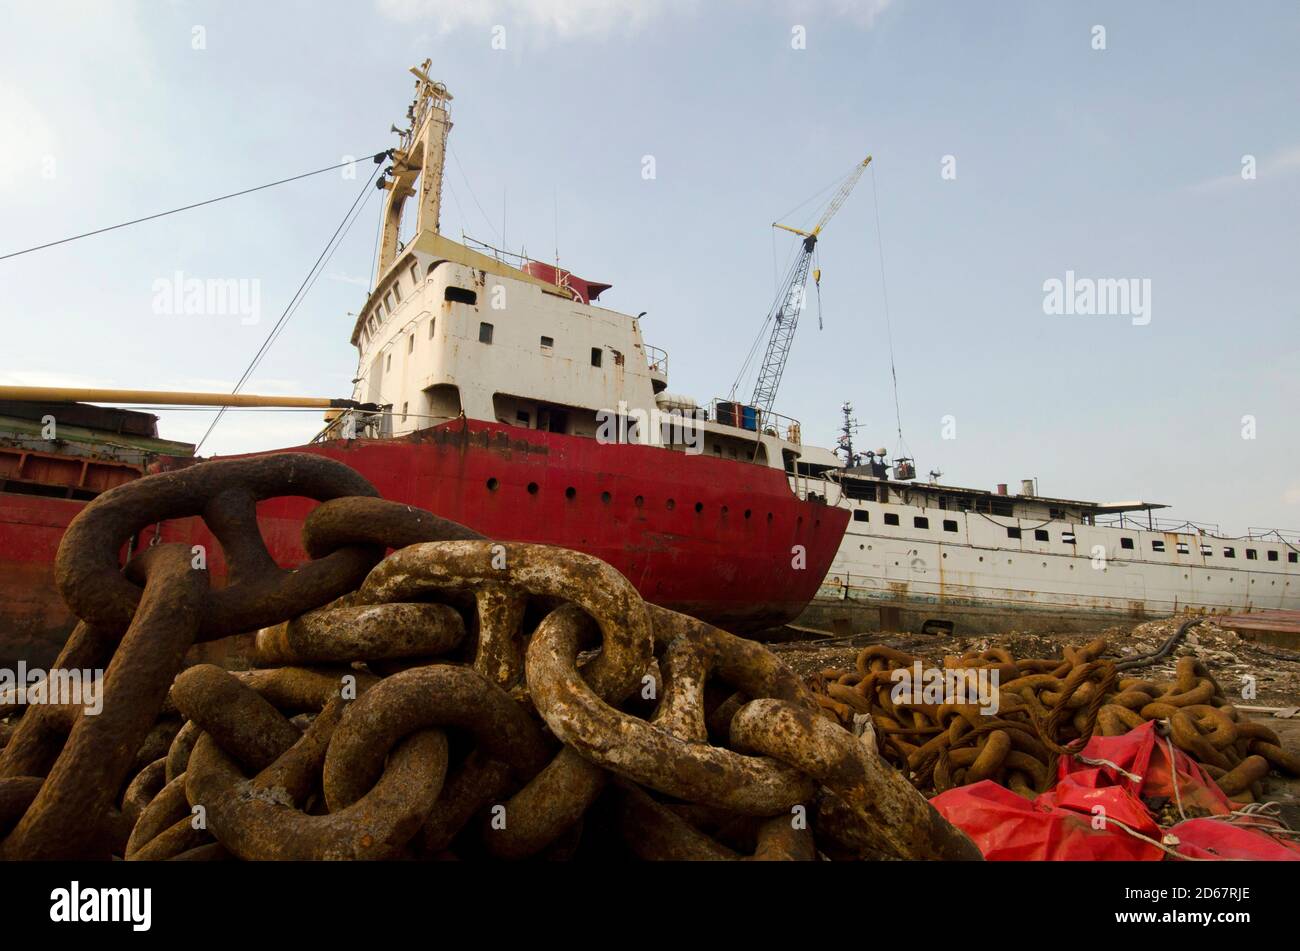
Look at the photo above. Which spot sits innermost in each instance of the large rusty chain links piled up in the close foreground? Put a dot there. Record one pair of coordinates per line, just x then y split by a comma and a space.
458, 698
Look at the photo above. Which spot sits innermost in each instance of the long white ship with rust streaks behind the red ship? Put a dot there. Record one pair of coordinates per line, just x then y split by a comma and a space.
920, 555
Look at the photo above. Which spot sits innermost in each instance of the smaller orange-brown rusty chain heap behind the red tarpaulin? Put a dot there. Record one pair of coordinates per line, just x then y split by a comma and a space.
1043, 710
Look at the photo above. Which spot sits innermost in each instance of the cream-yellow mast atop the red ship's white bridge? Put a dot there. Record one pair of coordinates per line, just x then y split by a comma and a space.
421, 157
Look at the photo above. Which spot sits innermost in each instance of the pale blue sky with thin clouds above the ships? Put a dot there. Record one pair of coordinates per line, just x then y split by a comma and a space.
1013, 145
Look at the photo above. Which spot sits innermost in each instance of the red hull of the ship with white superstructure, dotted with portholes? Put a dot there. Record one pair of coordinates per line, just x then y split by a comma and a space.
720, 540
